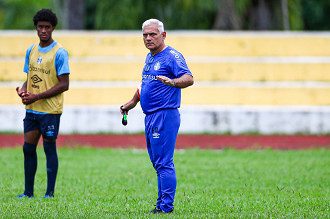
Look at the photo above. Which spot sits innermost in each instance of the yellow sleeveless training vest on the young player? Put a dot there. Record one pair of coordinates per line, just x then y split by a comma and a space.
43, 76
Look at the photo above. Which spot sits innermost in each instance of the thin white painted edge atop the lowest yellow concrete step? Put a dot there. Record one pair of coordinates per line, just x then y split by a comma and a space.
197, 84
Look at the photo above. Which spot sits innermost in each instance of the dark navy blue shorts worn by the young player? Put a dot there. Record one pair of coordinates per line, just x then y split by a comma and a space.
48, 124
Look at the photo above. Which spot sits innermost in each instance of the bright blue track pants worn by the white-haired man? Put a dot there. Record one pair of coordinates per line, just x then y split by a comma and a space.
161, 130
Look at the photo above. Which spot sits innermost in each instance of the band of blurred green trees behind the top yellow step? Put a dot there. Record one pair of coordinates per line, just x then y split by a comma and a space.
176, 14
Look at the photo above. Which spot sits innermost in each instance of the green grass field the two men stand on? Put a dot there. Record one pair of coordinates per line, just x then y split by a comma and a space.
116, 183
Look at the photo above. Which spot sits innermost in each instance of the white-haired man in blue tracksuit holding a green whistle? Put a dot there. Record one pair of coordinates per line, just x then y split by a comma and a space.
164, 74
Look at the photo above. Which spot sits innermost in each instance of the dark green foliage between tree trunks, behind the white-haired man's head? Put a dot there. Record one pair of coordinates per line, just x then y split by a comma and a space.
130, 14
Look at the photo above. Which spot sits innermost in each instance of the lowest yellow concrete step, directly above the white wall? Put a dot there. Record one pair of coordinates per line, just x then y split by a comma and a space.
225, 93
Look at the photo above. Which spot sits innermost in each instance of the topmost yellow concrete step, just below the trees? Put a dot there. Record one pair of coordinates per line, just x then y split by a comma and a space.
189, 43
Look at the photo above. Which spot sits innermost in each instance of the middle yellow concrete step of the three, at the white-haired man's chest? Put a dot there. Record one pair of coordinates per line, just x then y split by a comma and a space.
203, 68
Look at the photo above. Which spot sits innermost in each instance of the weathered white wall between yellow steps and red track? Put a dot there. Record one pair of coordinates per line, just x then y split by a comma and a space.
194, 119
